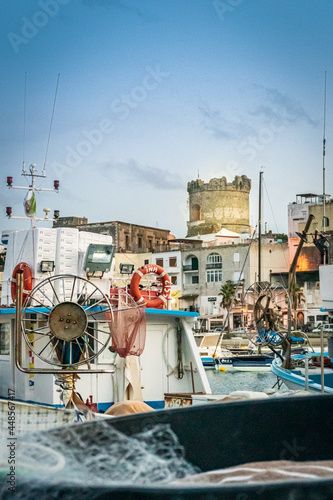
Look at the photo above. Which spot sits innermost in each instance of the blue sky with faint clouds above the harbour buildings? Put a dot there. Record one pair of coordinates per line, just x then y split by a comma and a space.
153, 93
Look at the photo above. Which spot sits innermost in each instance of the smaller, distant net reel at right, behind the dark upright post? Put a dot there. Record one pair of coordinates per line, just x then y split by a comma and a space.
266, 302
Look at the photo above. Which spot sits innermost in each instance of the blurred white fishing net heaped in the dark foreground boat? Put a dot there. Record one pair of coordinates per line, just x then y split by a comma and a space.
90, 455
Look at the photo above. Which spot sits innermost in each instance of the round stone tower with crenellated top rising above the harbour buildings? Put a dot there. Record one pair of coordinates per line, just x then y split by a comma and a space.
218, 204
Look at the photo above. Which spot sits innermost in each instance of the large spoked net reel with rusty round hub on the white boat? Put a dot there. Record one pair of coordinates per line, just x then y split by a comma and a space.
73, 321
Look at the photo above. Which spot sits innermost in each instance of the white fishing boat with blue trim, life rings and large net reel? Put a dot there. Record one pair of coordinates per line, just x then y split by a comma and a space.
67, 337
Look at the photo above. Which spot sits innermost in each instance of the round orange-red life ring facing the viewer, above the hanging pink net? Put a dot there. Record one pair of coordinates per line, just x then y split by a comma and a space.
135, 290
